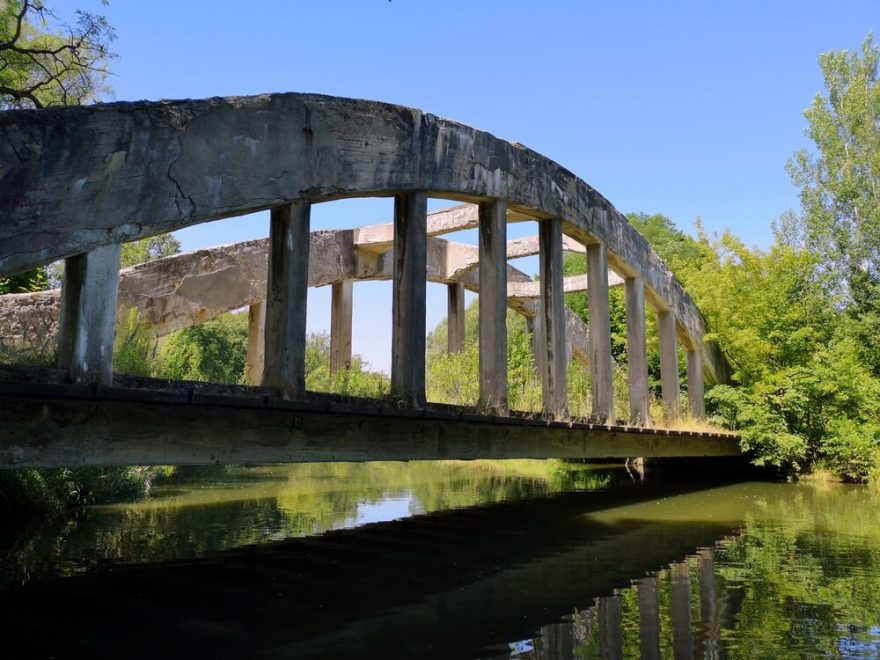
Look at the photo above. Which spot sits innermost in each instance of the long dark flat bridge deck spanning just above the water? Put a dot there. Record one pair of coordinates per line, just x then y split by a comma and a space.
45, 423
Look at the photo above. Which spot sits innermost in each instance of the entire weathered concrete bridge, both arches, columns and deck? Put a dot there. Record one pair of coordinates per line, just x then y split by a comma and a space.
78, 182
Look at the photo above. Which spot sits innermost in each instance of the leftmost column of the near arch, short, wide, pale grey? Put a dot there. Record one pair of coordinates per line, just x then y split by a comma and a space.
87, 325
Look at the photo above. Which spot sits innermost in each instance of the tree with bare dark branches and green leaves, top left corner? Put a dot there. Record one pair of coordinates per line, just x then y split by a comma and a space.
45, 62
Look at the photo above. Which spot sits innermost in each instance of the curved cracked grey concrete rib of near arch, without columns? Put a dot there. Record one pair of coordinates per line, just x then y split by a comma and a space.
72, 179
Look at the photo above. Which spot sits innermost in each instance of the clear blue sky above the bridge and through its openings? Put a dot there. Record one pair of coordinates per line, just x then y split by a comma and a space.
685, 108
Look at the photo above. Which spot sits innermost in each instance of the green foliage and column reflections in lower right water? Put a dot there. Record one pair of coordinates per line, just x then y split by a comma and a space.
801, 580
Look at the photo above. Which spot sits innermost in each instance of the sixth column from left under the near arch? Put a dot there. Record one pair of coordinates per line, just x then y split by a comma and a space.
600, 333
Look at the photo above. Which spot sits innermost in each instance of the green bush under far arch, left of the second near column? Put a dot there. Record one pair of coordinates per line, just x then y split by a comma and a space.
213, 351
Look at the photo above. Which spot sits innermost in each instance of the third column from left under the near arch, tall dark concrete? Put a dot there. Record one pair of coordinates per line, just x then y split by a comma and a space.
408, 301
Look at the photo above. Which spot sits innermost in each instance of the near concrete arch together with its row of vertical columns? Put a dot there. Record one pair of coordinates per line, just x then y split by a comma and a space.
77, 182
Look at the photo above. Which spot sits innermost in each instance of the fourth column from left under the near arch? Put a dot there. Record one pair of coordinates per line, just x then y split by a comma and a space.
493, 307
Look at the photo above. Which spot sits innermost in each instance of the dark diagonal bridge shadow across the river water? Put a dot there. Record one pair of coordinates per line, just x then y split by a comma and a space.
457, 582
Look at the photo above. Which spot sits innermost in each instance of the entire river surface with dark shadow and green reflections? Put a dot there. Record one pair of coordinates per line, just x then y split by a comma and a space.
524, 559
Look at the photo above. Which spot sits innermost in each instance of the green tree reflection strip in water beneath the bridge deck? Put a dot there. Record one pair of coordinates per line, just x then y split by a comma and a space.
207, 510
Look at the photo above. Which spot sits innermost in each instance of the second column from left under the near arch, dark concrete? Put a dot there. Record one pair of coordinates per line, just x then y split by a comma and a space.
286, 290
